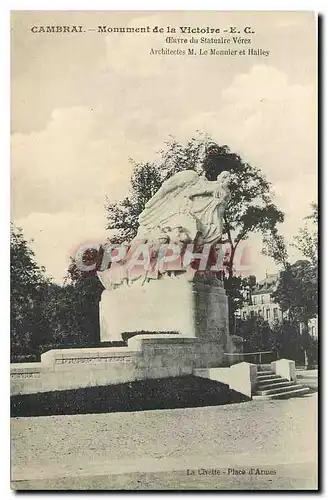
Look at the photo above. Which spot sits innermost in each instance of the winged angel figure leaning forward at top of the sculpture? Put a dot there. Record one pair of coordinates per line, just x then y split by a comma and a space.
188, 208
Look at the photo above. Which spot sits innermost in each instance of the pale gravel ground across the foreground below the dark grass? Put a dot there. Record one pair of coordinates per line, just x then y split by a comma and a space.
257, 433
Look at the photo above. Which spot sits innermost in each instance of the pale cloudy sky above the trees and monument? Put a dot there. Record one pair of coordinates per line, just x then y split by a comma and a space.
83, 104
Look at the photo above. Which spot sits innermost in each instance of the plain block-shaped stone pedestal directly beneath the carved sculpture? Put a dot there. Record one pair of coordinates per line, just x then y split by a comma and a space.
196, 308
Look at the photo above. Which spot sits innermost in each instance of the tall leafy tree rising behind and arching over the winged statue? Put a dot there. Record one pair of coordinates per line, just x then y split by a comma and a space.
250, 209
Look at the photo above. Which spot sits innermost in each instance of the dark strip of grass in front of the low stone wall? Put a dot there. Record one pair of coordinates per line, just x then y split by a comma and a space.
152, 394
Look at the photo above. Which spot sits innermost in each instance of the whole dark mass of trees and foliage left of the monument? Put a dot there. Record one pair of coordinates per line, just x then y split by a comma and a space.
46, 314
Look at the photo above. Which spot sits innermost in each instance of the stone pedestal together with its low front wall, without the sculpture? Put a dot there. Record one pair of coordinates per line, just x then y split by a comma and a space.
197, 311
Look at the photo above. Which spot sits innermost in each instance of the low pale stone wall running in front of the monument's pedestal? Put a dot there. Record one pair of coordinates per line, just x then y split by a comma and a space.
146, 356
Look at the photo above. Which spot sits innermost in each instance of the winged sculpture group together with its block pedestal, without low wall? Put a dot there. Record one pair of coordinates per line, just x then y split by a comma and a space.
167, 279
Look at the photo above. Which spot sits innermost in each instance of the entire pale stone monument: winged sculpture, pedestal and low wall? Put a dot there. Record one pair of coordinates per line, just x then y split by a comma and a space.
164, 289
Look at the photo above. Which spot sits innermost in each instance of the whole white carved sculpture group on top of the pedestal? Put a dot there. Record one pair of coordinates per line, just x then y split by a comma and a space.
186, 209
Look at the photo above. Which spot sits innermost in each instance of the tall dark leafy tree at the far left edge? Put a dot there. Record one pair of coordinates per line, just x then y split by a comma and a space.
28, 286
